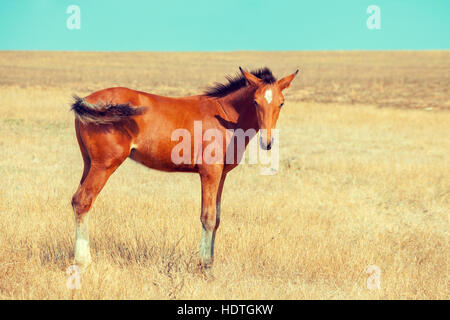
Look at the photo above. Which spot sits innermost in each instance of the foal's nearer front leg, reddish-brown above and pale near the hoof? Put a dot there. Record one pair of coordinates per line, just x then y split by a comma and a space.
211, 181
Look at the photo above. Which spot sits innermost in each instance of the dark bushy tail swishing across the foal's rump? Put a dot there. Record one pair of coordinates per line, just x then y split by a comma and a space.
103, 114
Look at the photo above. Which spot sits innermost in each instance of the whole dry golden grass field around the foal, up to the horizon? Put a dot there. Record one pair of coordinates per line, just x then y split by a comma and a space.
364, 180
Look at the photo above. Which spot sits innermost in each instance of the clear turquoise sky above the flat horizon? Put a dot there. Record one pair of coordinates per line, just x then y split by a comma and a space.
209, 25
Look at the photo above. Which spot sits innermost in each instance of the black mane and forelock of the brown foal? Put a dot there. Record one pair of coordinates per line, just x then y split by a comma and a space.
238, 81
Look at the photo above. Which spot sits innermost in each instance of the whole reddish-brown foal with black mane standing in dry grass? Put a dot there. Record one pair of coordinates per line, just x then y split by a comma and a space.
116, 123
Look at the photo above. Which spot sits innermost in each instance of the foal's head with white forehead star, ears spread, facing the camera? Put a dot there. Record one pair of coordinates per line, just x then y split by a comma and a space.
268, 100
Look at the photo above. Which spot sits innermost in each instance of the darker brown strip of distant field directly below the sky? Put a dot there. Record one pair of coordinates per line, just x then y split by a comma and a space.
400, 79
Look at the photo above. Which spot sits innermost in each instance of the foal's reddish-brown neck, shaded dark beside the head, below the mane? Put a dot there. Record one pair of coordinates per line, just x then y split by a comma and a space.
240, 109
